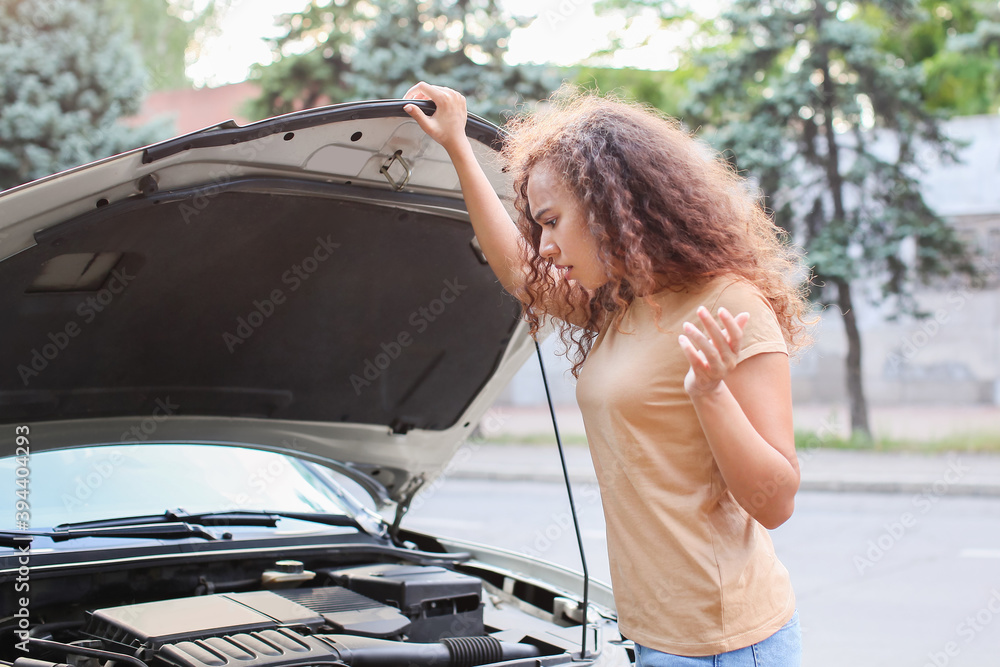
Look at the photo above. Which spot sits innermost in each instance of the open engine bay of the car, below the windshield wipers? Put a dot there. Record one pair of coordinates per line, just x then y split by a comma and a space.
292, 613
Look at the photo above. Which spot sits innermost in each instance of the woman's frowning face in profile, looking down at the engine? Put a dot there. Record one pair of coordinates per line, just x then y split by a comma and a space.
565, 237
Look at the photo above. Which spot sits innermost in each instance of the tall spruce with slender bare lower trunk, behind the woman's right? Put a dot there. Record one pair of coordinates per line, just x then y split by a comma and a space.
805, 98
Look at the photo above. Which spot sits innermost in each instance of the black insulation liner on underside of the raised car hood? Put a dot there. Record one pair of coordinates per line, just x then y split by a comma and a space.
258, 298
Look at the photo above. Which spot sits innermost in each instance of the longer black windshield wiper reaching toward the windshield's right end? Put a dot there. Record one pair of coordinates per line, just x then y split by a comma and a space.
224, 518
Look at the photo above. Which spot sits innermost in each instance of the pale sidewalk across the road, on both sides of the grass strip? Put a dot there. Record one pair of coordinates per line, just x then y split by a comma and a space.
953, 473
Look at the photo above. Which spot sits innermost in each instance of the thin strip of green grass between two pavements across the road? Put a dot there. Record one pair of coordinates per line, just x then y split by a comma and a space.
959, 442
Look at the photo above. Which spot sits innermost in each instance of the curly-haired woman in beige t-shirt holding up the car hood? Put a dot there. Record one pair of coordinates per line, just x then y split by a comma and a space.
632, 236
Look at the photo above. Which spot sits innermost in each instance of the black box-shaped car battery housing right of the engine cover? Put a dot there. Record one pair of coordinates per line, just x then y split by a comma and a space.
439, 603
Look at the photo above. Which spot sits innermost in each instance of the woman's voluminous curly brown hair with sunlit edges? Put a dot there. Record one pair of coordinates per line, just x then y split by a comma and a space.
666, 212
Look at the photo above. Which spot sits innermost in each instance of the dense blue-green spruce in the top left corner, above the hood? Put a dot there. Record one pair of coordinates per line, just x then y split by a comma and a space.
65, 80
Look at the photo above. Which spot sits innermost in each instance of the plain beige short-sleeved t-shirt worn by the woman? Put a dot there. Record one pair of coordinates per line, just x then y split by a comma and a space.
692, 572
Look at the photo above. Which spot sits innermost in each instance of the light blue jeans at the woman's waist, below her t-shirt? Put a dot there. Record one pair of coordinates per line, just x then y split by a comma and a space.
782, 649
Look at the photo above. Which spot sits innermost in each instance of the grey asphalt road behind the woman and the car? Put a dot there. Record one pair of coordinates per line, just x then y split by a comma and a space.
881, 579
